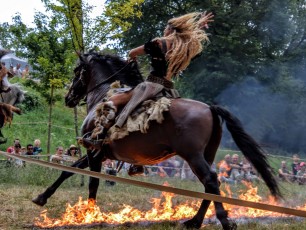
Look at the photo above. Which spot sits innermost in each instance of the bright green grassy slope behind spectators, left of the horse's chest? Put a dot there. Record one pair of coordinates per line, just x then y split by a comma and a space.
33, 125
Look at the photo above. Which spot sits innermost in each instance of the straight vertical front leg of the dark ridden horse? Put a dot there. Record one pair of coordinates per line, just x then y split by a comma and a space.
95, 164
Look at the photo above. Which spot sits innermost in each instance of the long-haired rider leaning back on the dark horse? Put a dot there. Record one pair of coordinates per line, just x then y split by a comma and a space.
170, 54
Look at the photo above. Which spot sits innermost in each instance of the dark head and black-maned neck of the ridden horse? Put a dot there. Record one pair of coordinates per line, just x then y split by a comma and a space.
94, 74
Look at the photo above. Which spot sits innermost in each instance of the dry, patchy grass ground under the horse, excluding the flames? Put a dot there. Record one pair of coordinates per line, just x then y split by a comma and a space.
19, 185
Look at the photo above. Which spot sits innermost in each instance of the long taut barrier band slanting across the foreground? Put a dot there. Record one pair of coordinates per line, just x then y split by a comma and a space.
200, 195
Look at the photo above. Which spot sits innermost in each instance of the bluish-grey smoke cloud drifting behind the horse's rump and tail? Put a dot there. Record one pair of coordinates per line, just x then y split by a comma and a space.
273, 119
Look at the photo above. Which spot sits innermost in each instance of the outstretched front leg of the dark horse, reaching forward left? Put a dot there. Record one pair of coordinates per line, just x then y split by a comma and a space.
42, 198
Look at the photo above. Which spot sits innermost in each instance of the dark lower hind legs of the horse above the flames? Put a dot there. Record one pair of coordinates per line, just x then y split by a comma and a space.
202, 170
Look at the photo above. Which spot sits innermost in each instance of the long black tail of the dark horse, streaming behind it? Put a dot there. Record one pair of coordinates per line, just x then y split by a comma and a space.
249, 148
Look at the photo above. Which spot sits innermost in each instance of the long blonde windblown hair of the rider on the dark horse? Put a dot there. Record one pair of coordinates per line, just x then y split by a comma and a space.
187, 41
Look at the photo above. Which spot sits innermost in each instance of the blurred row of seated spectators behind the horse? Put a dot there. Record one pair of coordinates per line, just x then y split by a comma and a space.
231, 169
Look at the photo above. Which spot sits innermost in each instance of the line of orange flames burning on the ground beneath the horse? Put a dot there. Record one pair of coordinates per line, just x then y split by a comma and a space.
86, 212
